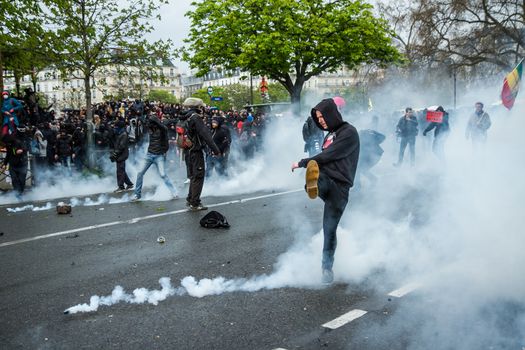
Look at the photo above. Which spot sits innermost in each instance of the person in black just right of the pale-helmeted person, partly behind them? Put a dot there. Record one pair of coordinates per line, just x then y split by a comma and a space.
222, 138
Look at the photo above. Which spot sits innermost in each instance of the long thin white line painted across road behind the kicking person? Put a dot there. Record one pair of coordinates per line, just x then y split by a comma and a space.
135, 220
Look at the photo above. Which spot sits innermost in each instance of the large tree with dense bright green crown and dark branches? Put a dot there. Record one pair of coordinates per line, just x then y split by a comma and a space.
289, 41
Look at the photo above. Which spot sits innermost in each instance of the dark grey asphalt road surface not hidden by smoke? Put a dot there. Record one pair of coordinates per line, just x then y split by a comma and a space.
51, 262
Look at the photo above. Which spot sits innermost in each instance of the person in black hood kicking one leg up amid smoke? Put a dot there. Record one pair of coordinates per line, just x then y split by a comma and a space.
330, 174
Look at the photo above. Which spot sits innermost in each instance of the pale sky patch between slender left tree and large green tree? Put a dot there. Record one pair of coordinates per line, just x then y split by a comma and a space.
174, 25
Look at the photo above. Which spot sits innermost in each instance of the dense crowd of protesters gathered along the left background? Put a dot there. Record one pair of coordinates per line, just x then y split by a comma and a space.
58, 141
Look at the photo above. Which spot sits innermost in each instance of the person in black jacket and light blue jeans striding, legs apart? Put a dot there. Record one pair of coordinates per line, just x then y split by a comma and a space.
158, 146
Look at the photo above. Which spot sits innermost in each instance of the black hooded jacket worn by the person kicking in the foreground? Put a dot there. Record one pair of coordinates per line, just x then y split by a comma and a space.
339, 159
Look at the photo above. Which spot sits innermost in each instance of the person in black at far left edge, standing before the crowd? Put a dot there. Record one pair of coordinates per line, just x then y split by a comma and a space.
16, 158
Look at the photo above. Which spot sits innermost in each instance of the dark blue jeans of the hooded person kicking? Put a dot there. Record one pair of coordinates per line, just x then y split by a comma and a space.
335, 197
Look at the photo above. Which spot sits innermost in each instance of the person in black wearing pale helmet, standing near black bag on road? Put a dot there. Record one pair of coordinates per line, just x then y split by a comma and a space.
200, 135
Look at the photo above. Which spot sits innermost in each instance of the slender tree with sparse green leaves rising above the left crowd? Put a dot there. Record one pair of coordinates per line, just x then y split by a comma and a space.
94, 34
